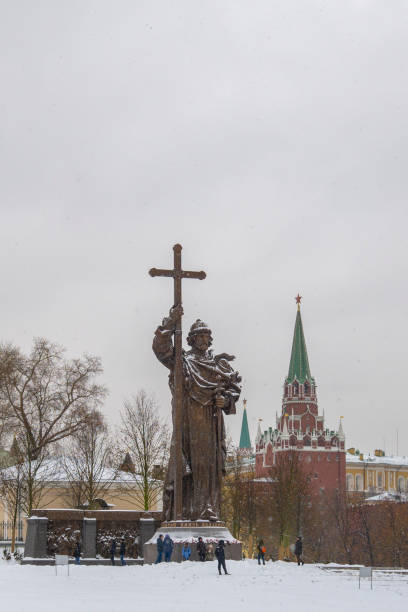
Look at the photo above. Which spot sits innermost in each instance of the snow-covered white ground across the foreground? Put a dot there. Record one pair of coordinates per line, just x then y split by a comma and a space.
197, 587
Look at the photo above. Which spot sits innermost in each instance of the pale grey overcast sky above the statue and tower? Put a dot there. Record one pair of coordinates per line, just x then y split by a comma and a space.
268, 138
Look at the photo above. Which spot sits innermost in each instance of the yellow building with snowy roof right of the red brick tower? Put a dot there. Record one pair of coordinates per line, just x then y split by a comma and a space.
377, 473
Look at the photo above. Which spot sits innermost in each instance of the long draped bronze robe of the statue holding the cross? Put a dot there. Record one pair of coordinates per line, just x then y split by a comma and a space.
203, 433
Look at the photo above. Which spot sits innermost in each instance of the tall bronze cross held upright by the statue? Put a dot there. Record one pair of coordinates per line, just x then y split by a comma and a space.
177, 274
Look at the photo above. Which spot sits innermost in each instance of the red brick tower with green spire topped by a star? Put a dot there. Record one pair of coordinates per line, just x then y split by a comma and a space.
301, 428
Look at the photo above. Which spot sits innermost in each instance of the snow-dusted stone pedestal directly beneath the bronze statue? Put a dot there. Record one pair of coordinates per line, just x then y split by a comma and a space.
189, 531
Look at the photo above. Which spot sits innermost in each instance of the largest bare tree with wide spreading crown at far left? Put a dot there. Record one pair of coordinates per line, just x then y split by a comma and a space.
47, 399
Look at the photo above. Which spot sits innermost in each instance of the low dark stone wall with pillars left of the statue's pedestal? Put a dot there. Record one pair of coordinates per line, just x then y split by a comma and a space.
56, 531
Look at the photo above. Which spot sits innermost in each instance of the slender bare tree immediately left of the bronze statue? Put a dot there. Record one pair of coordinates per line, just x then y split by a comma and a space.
146, 438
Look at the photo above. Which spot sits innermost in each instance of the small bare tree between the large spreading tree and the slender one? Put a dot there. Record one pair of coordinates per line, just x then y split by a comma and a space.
87, 463
